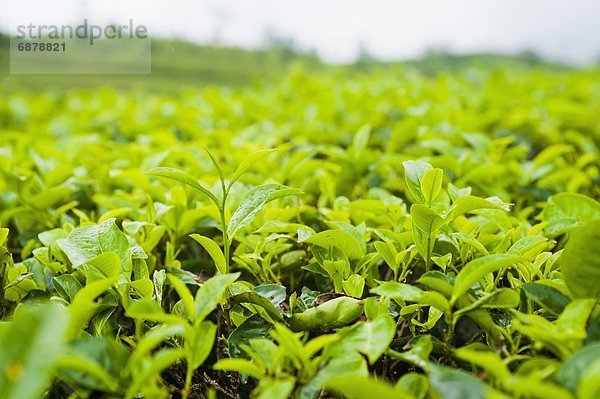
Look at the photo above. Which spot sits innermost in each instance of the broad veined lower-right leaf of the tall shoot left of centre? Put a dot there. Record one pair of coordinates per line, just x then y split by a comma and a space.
253, 202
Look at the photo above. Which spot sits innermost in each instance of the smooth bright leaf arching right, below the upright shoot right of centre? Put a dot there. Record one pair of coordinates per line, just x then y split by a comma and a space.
475, 270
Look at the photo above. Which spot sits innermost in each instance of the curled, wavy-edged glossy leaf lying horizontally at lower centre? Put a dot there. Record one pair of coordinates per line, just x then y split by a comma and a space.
332, 314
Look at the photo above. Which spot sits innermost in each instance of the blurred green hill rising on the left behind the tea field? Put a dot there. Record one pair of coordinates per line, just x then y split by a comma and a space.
176, 65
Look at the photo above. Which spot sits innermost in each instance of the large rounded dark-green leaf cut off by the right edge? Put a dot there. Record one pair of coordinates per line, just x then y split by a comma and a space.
580, 261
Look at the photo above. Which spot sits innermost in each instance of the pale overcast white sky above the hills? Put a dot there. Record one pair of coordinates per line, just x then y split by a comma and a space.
564, 30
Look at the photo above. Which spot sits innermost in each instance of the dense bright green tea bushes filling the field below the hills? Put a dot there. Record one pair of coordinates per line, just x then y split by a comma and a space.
383, 236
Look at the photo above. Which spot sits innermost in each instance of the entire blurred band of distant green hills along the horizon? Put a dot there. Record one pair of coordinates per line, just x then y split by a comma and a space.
177, 65
